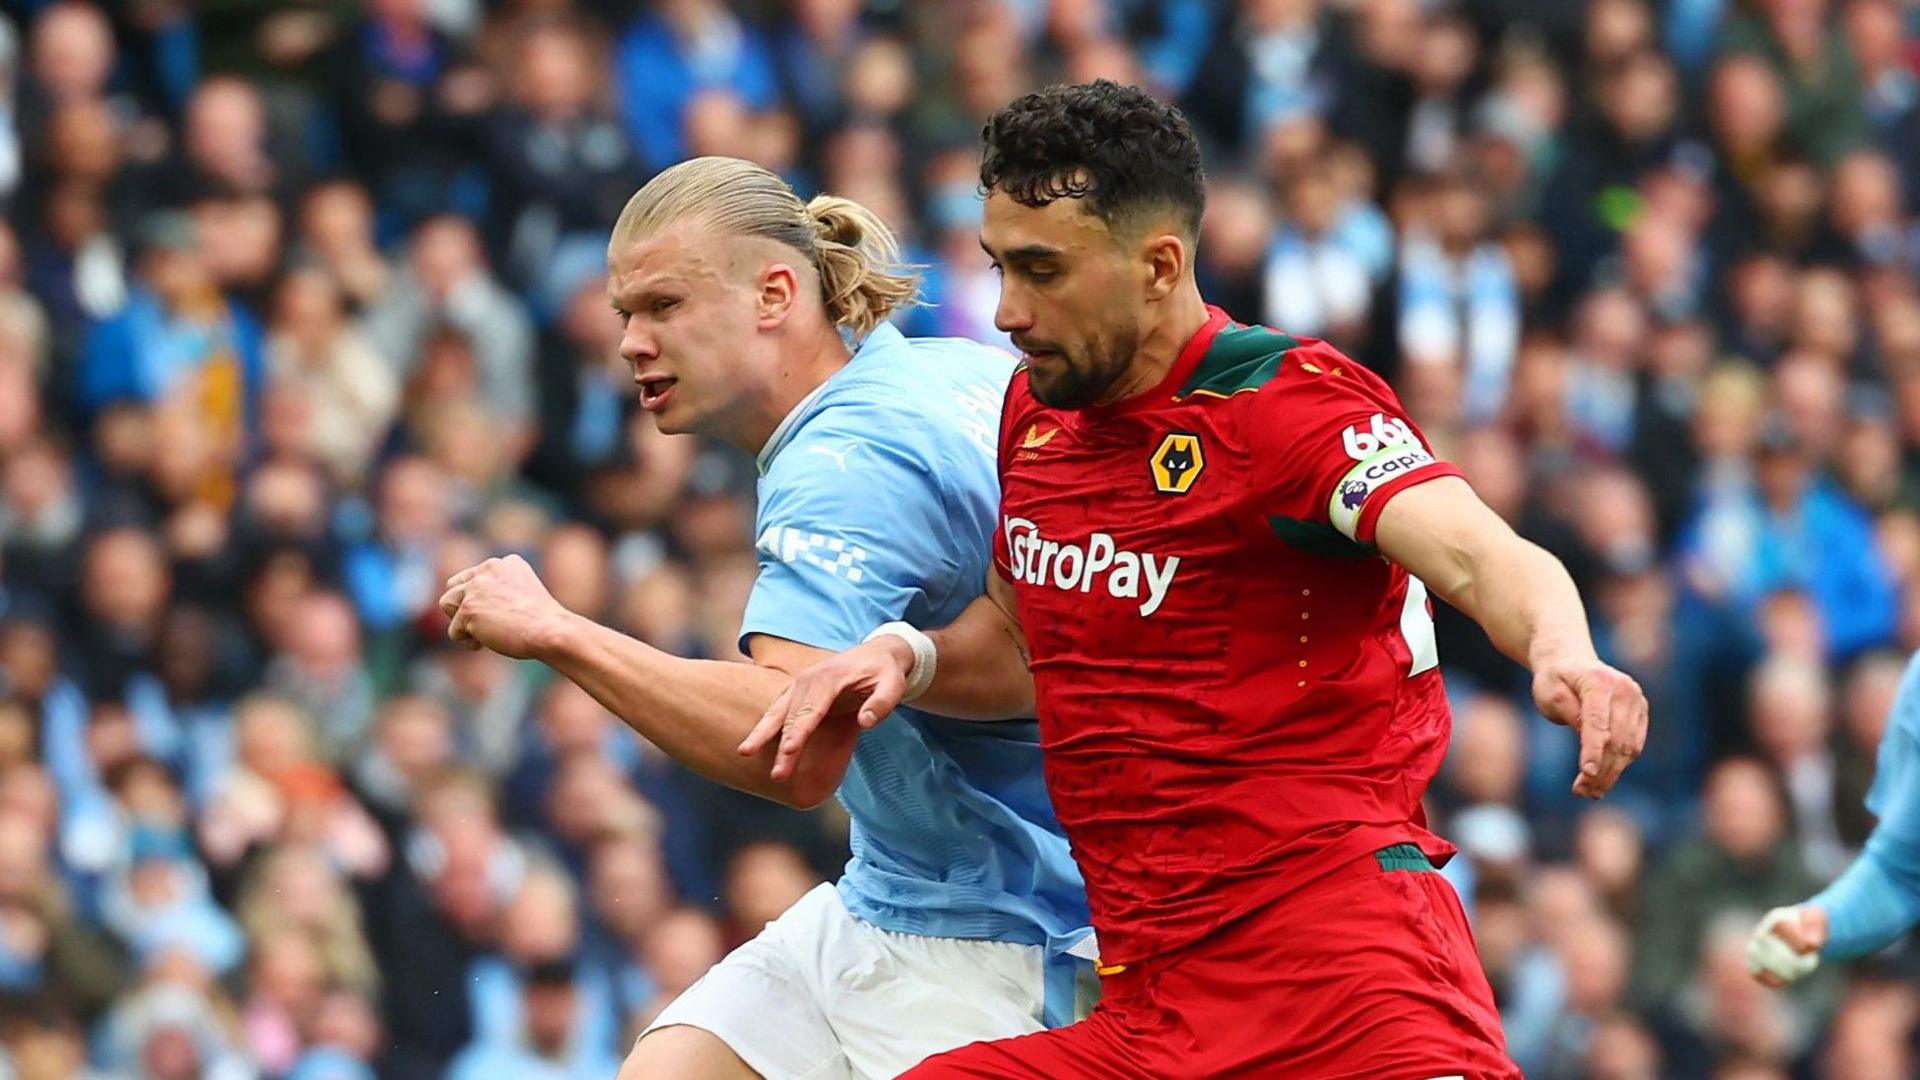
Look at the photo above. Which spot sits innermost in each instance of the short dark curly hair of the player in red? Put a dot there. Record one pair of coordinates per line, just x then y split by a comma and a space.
1118, 149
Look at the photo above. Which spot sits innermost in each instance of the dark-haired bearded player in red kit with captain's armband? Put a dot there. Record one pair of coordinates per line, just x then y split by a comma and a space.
1214, 556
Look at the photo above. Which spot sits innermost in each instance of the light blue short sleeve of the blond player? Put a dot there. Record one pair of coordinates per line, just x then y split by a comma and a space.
853, 531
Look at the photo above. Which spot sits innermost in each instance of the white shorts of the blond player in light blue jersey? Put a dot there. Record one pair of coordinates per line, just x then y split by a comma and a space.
827, 996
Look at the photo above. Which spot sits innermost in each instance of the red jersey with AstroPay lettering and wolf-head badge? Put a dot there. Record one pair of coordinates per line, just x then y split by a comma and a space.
1236, 691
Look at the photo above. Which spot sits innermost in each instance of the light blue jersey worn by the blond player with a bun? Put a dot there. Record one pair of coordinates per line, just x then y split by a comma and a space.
878, 503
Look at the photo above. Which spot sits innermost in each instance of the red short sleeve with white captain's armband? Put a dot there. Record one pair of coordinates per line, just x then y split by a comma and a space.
1335, 445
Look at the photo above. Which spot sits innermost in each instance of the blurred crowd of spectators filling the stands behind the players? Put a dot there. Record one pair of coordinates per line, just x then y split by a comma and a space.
302, 310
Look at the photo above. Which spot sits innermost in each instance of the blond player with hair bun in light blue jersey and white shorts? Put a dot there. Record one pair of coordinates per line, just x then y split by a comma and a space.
961, 916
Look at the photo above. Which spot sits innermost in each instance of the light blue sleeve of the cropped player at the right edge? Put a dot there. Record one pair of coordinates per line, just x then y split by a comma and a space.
1879, 898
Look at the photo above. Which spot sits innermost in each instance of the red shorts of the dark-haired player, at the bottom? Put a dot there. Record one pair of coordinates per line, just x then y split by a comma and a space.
1368, 973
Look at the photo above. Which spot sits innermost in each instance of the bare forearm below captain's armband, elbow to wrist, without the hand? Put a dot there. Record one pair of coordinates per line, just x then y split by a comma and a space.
1524, 599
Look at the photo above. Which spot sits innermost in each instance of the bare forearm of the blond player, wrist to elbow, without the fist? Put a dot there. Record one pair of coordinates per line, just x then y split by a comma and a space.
694, 710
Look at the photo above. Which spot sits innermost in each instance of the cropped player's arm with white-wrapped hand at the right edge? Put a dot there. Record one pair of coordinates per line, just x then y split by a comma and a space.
1879, 896
